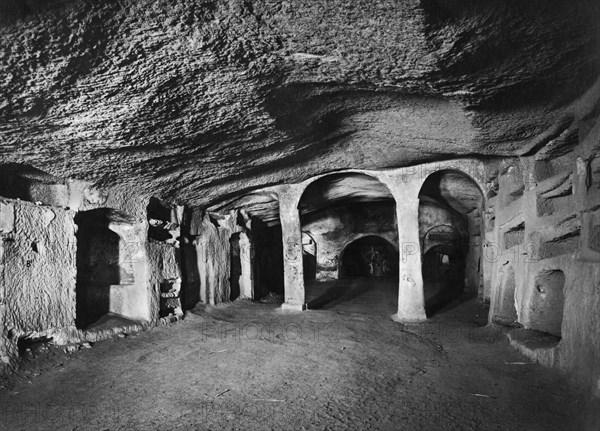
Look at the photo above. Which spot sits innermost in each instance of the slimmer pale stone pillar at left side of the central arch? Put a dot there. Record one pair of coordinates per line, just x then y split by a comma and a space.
293, 274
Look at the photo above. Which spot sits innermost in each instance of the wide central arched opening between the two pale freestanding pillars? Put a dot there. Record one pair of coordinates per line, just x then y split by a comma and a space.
351, 218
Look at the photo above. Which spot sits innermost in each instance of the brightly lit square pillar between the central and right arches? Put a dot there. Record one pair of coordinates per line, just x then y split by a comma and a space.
411, 298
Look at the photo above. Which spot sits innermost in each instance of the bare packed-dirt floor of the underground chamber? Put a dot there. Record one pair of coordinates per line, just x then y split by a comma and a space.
249, 365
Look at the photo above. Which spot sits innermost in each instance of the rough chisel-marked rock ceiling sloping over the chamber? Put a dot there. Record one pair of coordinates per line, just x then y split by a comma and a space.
198, 101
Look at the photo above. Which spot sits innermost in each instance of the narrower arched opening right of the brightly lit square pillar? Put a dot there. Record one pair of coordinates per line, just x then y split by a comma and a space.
451, 233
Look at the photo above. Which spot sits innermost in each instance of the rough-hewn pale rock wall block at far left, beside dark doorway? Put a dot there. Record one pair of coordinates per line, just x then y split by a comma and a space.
38, 271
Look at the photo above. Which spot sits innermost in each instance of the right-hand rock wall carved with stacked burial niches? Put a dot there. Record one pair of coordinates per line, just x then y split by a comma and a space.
542, 242
